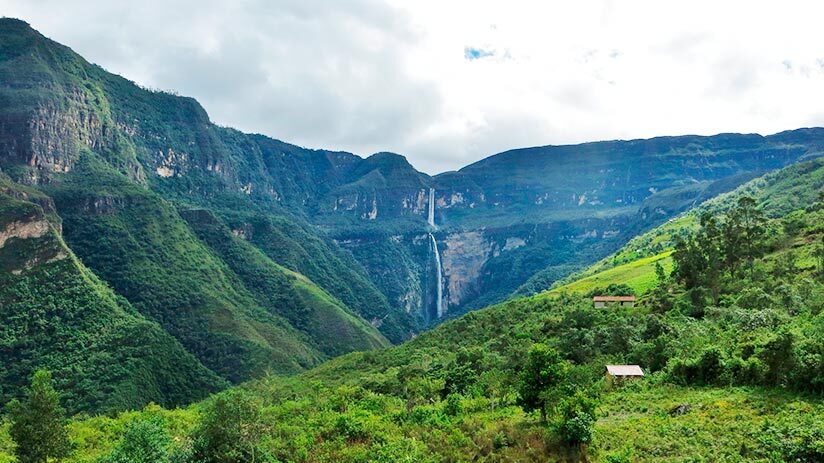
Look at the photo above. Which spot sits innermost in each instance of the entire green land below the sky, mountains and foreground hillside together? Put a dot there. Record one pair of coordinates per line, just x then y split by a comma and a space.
222, 296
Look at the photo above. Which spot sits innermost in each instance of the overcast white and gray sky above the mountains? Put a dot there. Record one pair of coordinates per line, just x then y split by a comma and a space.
448, 82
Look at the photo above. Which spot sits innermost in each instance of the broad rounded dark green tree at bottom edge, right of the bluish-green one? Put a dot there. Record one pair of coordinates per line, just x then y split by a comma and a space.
230, 430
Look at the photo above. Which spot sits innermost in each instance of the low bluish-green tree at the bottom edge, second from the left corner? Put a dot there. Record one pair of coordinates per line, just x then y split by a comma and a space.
144, 441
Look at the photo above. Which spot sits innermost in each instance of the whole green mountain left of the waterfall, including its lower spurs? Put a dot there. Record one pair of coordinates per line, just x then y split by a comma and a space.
217, 308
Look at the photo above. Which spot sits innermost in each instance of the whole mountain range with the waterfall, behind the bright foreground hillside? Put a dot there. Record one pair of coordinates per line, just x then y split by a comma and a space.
147, 254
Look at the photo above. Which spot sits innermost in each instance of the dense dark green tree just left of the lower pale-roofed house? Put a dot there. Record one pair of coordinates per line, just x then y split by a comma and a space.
544, 370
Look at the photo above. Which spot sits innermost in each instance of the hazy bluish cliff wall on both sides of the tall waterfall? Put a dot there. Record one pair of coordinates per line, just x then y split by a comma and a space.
542, 211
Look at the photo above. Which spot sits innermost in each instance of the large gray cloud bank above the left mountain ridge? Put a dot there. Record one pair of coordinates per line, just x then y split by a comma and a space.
319, 74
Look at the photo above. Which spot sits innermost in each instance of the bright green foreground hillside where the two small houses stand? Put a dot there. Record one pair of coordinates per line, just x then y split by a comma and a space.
730, 341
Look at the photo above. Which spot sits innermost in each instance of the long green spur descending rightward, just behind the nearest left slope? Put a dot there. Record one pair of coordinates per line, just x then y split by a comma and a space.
140, 245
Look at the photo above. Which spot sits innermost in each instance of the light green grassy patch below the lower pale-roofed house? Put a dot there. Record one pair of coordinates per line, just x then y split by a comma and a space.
723, 425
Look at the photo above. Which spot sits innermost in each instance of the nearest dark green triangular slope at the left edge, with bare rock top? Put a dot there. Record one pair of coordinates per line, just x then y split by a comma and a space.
57, 315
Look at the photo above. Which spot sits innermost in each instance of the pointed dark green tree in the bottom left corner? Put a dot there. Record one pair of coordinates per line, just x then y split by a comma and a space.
37, 423
